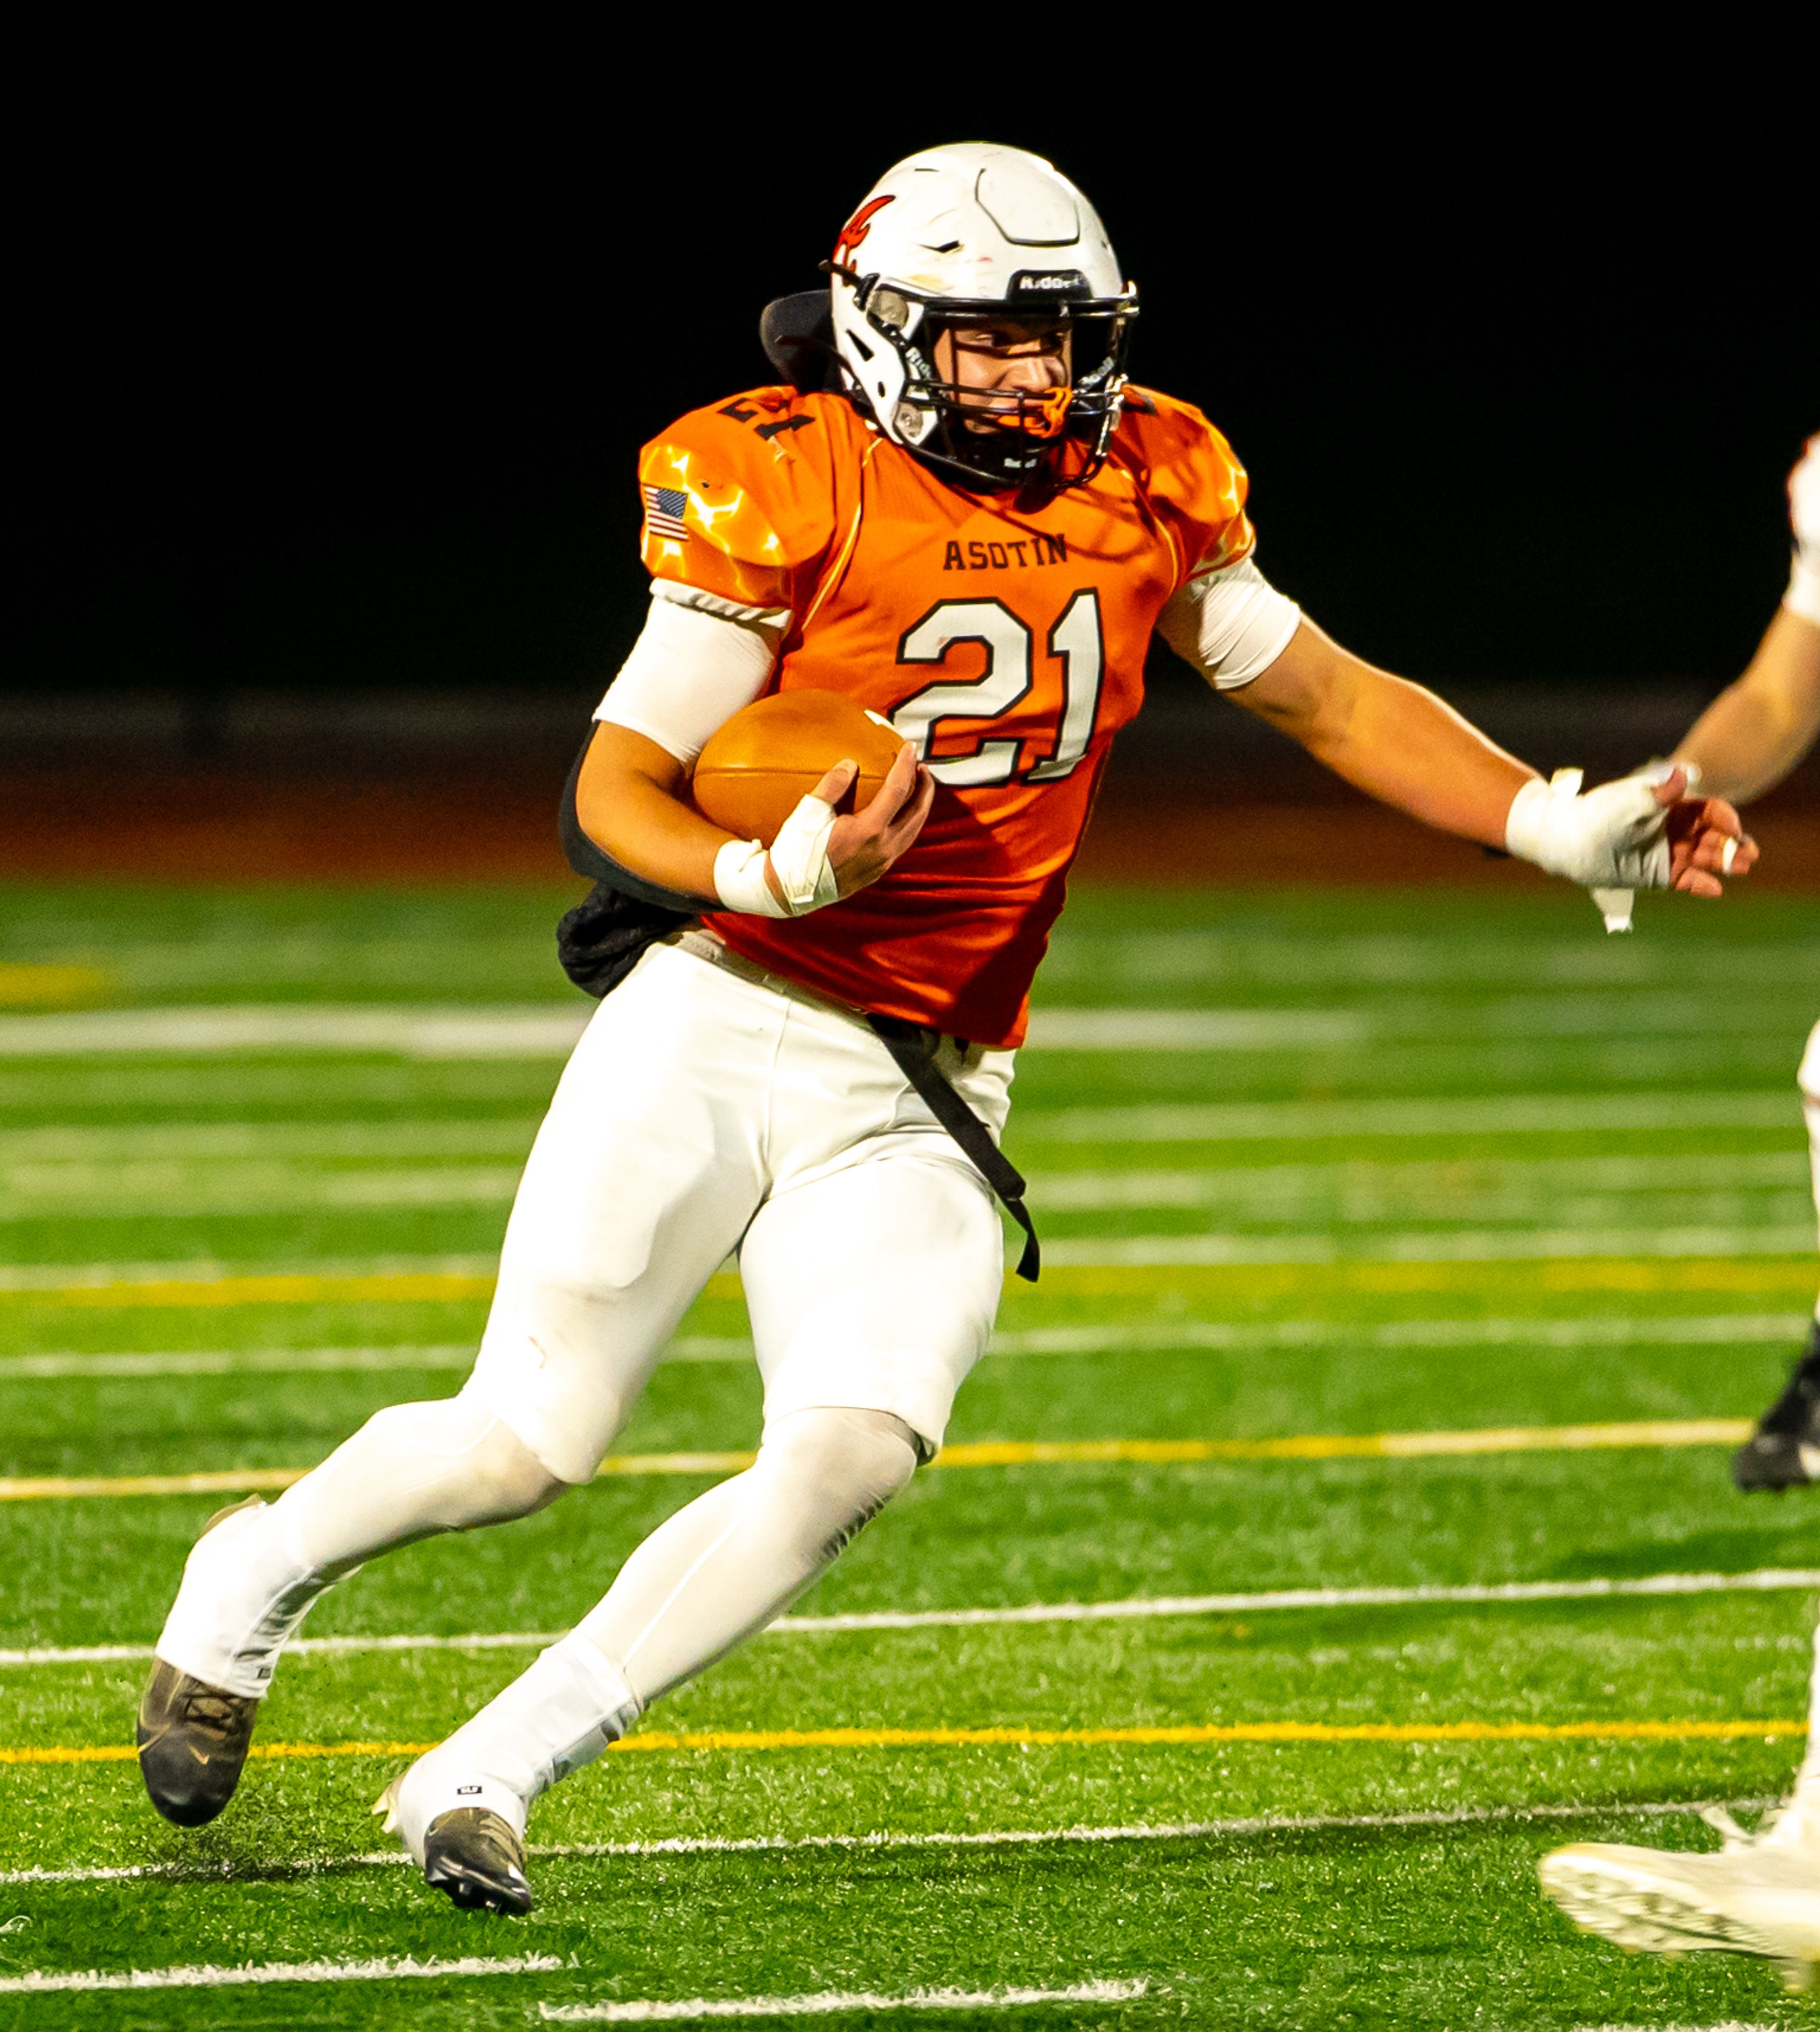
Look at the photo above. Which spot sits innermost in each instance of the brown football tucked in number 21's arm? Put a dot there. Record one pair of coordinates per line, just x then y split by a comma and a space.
777, 751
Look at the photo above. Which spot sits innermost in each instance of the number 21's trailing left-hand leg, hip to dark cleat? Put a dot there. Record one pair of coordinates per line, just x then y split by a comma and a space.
641, 1182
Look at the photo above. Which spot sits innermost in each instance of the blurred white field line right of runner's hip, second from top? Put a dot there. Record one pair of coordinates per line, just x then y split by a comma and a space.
1496, 1117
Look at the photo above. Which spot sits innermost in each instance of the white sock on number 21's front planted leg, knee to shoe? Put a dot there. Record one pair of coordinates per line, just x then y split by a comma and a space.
708, 1578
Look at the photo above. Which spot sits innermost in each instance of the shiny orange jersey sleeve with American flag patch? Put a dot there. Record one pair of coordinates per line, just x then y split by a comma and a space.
738, 505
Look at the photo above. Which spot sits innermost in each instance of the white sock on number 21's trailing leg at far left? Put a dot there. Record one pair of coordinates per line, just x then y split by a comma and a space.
407, 1474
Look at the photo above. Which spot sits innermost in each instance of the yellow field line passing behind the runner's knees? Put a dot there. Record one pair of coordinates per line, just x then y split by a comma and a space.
1019, 1454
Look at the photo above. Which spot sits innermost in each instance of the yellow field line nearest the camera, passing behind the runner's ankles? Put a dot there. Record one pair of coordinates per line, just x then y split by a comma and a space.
1015, 1738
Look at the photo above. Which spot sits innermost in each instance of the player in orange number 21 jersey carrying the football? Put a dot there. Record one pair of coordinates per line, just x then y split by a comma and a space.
962, 513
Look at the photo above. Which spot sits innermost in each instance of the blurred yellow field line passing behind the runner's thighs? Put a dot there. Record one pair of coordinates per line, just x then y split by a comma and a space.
1230, 1281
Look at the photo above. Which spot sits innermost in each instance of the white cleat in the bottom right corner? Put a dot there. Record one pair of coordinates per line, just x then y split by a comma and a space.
1758, 1897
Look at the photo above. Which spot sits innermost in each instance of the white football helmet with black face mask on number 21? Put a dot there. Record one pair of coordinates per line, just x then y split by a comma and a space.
966, 233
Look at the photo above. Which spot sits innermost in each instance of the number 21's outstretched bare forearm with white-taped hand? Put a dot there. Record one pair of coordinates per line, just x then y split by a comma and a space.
1405, 747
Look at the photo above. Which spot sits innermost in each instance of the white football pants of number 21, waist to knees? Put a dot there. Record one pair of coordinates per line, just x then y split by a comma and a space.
712, 1110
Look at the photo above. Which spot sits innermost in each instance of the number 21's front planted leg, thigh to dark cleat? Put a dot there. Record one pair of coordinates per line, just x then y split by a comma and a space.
872, 1287
